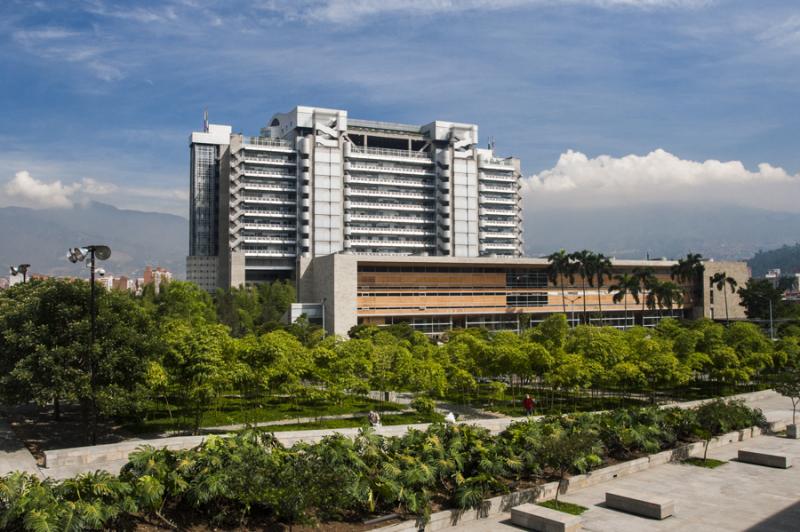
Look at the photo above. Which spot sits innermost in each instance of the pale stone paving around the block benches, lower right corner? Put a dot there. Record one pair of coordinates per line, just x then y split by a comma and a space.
734, 496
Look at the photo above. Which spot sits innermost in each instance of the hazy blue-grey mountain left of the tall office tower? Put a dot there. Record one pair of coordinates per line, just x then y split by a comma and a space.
41, 237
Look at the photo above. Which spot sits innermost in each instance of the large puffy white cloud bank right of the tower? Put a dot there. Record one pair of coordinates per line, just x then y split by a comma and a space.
659, 168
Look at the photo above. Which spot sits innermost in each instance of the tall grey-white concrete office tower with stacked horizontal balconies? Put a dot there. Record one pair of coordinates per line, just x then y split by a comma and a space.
316, 183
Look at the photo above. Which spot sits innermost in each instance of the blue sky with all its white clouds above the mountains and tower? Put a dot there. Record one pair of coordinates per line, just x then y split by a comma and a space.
97, 97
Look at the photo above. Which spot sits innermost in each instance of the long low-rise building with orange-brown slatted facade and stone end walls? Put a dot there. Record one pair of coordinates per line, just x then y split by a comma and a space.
436, 294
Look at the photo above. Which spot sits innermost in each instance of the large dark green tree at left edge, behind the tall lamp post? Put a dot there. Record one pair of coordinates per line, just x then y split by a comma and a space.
44, 347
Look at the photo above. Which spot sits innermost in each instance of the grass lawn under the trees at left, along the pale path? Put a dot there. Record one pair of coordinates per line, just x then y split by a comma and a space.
235, 410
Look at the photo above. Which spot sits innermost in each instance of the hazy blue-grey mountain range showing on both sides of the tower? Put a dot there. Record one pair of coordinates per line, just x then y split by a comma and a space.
41, 236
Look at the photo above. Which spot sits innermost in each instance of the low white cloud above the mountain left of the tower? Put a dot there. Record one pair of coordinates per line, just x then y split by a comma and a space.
24, 190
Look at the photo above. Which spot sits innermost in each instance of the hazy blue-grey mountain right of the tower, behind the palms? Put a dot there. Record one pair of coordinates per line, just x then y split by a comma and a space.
662, 230
